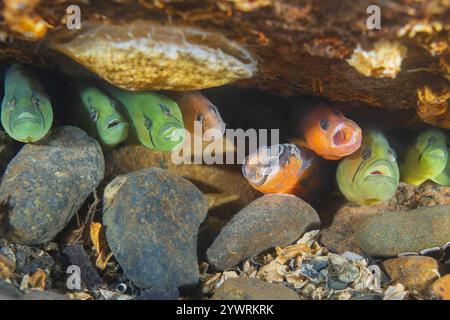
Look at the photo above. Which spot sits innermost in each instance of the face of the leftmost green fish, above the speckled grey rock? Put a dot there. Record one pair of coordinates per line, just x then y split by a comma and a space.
27, 118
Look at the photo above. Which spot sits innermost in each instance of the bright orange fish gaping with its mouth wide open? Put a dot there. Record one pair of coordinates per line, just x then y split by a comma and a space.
328, 133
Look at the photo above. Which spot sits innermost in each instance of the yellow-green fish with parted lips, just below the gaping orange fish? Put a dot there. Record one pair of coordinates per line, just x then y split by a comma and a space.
370, 175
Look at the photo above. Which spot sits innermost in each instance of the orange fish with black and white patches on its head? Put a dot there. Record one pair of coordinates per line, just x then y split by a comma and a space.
284, 169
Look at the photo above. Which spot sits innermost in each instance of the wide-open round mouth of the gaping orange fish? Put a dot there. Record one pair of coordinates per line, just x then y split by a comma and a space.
346, 134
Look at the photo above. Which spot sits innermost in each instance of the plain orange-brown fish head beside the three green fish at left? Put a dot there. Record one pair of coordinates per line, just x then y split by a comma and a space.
195, 107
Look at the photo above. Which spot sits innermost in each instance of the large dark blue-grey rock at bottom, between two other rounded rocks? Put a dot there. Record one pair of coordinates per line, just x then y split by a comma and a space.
152, 218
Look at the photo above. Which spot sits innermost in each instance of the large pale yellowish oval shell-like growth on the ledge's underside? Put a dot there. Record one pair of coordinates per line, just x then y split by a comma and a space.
145, 55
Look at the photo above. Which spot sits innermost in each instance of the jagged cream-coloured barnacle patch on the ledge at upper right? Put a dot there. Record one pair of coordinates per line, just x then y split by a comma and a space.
383, 61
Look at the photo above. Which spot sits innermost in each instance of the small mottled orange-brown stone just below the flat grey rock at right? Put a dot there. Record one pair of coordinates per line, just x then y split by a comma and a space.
414, 272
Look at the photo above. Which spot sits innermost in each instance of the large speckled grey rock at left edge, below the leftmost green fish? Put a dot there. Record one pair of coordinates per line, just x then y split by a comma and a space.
46, 183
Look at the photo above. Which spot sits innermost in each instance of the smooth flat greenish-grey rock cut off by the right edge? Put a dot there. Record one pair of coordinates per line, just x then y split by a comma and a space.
391, 233
